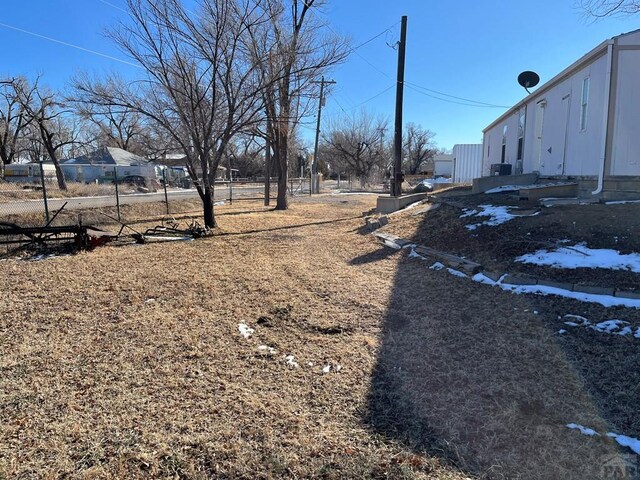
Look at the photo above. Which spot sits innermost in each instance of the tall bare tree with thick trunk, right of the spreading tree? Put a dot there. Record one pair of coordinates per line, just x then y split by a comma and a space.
293, 50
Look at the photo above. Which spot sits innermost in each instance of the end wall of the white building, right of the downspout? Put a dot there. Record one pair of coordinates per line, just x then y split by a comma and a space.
625, 151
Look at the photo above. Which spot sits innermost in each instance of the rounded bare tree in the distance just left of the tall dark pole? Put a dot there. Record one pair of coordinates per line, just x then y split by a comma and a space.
356, 145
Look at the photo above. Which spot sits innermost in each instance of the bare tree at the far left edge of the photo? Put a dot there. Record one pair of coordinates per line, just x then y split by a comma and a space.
13, 119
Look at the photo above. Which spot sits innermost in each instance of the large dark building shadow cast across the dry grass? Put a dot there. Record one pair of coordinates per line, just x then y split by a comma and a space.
470, 374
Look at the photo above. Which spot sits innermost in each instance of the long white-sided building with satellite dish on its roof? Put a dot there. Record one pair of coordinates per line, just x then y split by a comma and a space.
581, 125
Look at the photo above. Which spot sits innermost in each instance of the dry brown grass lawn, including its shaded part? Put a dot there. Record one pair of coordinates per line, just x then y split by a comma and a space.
127, 363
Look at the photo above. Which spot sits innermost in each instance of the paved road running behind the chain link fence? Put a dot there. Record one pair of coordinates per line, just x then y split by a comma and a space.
79, 203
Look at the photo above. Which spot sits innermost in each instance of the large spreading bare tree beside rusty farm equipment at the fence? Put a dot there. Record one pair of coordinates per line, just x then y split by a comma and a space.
200, 86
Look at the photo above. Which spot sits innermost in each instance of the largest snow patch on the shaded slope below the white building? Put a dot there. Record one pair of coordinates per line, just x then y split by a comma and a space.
581, 256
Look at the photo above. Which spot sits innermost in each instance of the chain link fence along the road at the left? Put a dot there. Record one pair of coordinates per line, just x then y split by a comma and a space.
38, 200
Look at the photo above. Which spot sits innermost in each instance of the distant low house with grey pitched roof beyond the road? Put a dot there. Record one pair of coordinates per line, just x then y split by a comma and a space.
104, 164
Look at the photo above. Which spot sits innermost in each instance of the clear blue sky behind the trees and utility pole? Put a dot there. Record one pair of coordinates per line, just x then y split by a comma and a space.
463, 48
